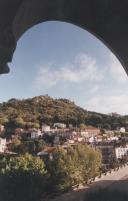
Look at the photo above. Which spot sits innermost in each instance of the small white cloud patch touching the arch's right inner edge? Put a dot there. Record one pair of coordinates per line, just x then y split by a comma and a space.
116, 70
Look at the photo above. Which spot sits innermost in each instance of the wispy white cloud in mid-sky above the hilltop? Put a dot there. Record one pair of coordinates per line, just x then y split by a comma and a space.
84, 68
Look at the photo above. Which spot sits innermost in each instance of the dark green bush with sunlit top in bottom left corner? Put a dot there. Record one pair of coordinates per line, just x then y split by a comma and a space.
22, 179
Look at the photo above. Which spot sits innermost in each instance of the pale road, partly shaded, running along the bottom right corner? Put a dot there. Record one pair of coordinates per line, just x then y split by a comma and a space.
116, 180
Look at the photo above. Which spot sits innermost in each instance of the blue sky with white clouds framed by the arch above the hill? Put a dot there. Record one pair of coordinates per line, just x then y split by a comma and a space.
65, 61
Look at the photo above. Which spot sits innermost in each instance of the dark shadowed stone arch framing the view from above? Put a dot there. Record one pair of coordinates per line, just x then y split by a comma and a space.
106, 19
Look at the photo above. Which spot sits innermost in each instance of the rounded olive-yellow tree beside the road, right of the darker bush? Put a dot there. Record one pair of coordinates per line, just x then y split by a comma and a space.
72, 167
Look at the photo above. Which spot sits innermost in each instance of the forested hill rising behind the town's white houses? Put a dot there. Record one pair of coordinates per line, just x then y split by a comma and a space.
33, 112
